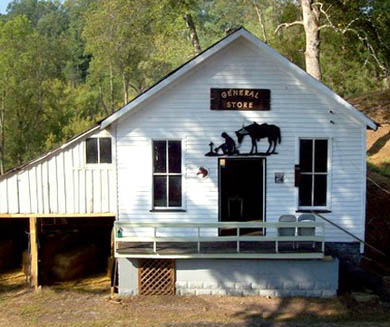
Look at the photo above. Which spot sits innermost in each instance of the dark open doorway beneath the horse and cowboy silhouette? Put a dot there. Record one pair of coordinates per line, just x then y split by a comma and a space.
241, 190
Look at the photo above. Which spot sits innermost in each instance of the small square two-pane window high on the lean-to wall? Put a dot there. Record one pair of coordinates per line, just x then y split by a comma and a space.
98, 150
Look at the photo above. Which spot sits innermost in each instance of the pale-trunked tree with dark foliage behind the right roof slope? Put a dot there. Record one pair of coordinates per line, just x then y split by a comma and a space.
361, 22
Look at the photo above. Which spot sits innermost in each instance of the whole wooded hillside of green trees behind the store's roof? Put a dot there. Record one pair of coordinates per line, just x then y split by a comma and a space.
66, 64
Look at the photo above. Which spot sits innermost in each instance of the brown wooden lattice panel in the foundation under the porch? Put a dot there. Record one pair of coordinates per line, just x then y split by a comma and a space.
156, 277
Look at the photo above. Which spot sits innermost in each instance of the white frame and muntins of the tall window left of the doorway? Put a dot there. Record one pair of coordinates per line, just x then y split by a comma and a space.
167, 174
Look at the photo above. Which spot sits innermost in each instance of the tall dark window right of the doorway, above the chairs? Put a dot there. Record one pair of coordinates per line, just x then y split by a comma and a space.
313, 161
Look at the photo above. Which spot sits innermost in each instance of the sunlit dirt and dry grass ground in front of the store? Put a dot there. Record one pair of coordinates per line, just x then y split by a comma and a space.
88, 303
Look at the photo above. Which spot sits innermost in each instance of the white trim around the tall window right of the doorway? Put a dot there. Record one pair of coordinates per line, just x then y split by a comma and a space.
329, 173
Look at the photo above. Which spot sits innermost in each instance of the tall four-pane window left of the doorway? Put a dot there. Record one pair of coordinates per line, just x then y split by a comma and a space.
167, 175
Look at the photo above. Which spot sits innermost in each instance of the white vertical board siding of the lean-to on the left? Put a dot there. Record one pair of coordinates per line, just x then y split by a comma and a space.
61, 183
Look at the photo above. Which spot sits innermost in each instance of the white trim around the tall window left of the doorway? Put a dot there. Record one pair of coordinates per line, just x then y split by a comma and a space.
182, 174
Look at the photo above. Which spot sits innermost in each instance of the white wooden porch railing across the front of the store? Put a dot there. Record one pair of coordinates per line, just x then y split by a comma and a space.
132, 244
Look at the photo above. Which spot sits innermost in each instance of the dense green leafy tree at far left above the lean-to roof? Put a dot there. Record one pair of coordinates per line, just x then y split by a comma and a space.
29, 83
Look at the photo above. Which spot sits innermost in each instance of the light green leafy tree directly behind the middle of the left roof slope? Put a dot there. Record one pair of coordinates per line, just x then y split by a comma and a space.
123, 61
